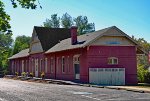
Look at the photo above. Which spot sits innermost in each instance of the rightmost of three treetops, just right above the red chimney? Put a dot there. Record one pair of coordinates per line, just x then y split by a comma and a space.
83, 25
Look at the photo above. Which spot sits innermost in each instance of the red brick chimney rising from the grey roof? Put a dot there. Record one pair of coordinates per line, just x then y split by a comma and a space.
74, 35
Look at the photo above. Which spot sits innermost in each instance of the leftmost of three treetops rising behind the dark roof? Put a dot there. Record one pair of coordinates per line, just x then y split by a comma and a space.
54, 22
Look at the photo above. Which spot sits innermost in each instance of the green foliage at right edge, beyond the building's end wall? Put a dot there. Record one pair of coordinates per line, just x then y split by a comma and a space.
143, 64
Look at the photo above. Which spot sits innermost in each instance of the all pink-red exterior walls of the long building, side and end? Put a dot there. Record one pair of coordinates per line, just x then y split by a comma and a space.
92, 56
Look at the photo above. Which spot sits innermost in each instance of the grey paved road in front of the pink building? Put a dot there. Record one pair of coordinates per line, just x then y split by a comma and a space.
15, 90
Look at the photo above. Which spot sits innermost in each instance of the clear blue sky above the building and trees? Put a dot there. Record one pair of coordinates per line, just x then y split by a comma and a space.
131, 16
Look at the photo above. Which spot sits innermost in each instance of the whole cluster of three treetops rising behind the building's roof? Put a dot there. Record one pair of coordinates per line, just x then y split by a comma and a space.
67, 21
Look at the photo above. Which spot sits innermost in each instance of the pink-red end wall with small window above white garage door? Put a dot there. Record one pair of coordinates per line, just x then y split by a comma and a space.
98, 57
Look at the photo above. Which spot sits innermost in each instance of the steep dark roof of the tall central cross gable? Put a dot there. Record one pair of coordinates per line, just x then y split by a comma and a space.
51, 36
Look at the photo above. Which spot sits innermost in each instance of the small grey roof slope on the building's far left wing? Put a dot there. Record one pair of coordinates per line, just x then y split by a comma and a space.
23, 53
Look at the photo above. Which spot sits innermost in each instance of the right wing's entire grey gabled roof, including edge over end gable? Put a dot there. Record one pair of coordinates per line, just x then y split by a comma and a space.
86, 40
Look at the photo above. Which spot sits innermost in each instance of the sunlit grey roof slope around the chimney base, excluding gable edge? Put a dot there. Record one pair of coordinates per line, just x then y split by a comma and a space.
83, 40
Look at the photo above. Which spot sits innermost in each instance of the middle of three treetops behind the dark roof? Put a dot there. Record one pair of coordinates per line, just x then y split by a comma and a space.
66, 21
